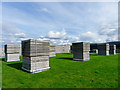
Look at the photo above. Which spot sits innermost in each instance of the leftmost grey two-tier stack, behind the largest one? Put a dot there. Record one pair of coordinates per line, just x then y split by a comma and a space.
12, 52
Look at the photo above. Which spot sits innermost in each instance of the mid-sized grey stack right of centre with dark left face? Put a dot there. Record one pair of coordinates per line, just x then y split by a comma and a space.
81, 51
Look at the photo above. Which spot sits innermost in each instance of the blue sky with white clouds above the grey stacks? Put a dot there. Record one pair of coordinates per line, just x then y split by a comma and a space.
60, 22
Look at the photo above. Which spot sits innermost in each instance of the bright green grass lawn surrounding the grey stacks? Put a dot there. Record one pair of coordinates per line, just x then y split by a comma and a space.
98, 72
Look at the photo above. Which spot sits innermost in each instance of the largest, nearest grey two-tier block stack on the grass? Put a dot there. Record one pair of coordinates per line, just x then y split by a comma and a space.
35, 55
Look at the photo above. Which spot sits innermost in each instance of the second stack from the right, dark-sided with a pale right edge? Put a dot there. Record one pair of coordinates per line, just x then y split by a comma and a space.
103, 49
